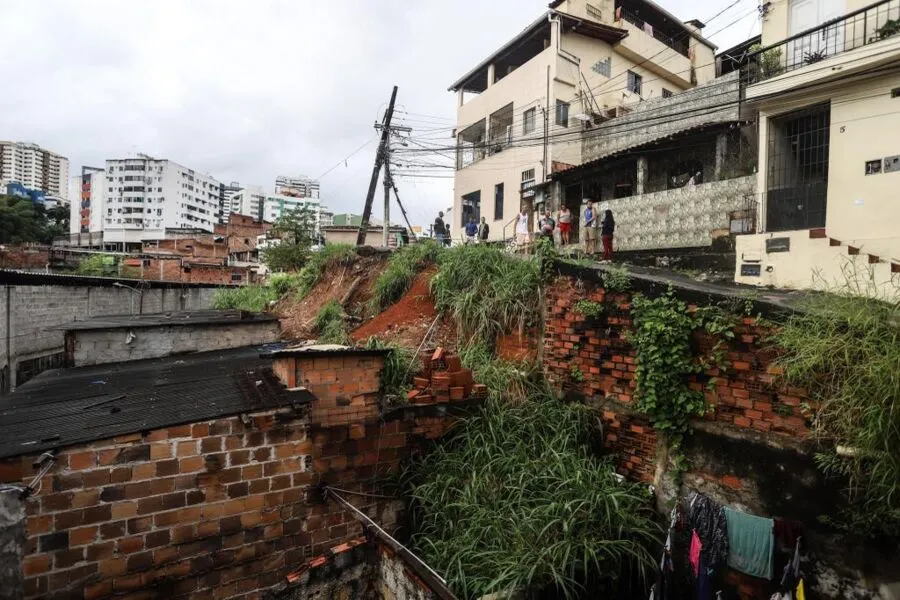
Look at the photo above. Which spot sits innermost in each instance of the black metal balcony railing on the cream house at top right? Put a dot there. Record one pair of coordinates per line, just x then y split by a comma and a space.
865, 26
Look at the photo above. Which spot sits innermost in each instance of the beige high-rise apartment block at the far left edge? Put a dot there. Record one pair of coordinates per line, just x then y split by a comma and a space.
35, 168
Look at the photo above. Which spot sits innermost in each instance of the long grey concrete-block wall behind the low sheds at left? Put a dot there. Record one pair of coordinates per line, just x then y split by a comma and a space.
29, 315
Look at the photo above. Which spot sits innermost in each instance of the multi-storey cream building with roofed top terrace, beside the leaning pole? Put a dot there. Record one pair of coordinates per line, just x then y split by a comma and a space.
522, 112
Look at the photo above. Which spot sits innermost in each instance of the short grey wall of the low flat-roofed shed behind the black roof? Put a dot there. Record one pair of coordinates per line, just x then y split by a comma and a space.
95, 347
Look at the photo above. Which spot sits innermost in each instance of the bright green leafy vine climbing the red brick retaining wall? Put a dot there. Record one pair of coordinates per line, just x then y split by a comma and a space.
662, 337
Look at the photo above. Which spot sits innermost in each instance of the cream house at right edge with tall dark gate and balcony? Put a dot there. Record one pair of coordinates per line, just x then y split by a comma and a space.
827, 87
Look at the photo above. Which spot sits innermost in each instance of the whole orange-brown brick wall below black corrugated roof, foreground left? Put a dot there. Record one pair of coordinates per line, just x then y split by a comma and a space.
211, 509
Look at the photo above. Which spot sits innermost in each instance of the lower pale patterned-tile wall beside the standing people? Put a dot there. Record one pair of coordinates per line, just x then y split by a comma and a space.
679, 218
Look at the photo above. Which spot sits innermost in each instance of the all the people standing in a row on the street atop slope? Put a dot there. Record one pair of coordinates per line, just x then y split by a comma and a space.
478, 232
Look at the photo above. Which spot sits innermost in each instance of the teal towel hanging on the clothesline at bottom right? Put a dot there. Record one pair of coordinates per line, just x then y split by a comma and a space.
751, 542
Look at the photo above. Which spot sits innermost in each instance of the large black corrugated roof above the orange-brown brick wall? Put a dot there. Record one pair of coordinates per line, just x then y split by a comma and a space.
70, 406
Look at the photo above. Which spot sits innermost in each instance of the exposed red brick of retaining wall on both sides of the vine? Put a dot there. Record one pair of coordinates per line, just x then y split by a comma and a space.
747, 395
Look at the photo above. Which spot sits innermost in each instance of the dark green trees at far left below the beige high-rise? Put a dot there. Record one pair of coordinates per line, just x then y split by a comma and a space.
21, 220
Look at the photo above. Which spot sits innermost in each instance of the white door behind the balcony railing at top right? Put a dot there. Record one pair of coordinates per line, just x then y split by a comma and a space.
805, 15
